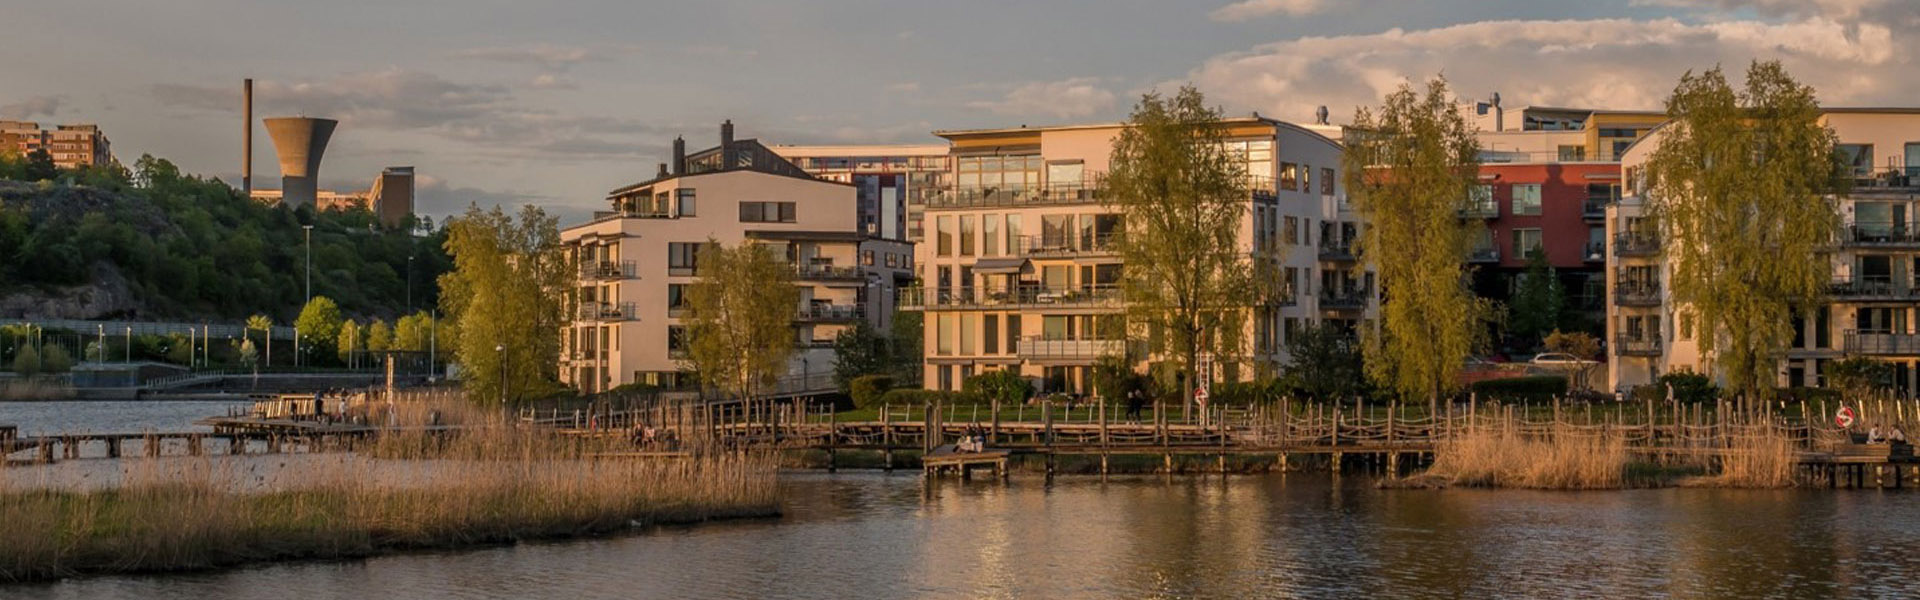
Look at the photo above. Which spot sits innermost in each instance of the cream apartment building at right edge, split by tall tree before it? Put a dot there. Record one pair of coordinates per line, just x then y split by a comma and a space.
1875, 291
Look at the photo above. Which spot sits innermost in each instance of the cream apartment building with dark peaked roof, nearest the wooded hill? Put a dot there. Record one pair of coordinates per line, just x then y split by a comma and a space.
638, 261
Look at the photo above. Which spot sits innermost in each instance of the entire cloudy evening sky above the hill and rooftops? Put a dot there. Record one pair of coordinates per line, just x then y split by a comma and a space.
558, 103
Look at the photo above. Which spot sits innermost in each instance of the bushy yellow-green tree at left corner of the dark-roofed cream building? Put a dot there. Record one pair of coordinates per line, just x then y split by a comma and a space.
504, 301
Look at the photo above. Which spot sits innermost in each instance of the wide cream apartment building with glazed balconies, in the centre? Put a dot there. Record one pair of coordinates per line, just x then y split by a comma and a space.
1020, 272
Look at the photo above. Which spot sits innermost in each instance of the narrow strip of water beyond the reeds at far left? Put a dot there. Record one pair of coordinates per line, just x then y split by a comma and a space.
112, 416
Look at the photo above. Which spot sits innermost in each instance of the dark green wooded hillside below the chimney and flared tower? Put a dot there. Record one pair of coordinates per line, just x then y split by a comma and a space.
155, 243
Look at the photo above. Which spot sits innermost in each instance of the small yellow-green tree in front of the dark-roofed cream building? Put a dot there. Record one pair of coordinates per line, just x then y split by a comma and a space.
740, 318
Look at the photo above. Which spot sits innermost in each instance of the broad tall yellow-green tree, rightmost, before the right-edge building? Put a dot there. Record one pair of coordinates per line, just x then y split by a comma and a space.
1739, 186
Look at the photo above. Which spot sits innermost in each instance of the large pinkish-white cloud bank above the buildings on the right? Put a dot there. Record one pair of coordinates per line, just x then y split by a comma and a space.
1583, 62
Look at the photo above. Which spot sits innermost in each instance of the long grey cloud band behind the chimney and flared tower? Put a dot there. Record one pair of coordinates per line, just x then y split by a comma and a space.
487, 118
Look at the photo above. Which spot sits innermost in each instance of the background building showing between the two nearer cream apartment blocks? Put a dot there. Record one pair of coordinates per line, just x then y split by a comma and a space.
894, 182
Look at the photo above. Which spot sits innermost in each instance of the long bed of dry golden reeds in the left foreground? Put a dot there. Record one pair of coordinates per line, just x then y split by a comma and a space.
492, 486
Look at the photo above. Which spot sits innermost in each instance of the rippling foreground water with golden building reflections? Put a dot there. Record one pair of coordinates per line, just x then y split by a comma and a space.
869, 536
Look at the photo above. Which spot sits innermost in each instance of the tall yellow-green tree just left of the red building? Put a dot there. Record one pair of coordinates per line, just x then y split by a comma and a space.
1408, 172
